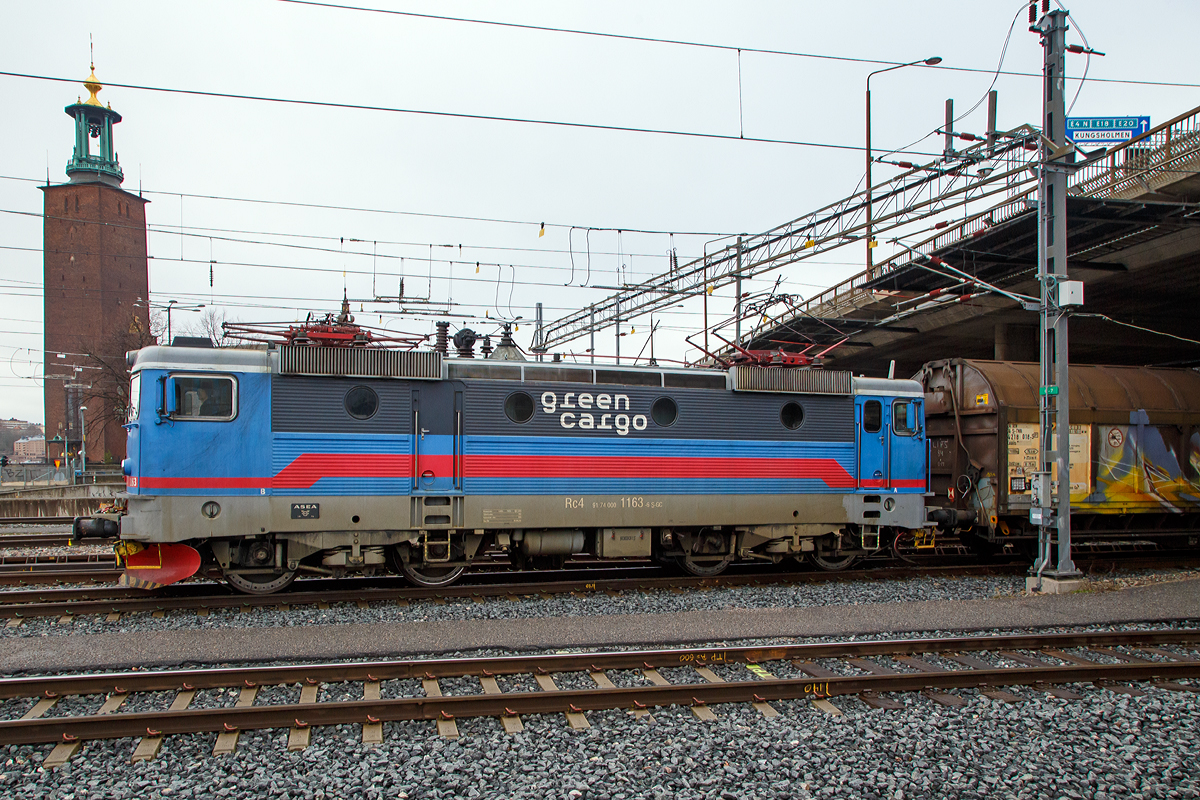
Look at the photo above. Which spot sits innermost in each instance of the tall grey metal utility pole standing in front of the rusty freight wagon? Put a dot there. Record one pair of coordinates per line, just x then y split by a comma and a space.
1049, 513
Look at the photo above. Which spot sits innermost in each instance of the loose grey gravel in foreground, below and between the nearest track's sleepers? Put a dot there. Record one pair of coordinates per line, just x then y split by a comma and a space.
1100, 748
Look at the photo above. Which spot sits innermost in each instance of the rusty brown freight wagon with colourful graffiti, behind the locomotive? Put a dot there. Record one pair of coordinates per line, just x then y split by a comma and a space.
1135, 449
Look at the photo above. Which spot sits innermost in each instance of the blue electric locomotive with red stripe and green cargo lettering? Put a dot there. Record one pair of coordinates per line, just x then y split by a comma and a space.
265, 464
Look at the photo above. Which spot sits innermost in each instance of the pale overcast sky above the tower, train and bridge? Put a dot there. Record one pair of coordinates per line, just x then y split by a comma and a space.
235, 182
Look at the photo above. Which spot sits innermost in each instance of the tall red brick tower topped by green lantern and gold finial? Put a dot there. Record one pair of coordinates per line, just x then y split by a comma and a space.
97, 290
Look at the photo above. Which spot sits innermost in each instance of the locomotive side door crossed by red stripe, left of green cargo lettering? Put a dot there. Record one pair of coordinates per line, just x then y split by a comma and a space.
437, 438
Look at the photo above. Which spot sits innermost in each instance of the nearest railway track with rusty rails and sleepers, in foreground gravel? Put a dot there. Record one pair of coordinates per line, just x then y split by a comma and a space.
632, 681
